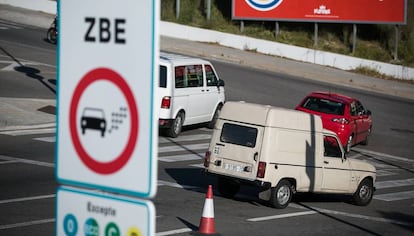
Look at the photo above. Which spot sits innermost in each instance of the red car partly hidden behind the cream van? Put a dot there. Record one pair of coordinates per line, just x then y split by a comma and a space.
341, 114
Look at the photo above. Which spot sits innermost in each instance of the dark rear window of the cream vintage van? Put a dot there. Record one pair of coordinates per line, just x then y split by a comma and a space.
239, 135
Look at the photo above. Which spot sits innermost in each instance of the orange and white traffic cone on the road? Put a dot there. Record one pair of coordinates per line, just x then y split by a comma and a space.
207, 220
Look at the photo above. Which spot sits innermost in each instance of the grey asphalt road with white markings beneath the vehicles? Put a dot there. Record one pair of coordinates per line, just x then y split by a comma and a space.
27, 156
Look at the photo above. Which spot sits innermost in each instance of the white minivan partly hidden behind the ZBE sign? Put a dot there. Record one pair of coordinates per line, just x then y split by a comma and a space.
190, 92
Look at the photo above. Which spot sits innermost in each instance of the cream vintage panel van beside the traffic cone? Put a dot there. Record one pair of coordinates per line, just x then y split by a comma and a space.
283, 151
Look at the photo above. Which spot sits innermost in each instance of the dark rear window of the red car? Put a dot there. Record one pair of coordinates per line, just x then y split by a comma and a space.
324, 106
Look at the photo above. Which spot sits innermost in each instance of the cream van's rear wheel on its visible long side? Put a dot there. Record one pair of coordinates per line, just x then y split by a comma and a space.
281, 195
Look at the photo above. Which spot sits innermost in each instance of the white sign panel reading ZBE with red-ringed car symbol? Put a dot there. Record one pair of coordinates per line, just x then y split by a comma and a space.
107, 73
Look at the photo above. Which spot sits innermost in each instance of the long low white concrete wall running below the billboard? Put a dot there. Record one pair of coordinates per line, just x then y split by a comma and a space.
247, 43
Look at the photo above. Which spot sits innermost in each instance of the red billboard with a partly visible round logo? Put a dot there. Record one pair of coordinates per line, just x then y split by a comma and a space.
351, 11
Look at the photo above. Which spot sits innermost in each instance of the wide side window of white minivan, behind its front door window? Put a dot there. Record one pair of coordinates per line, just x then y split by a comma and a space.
188, 76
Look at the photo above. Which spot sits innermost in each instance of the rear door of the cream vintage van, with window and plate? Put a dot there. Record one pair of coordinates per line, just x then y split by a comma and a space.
236, 151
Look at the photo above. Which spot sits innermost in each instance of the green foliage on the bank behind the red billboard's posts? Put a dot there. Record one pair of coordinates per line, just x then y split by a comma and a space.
375, 42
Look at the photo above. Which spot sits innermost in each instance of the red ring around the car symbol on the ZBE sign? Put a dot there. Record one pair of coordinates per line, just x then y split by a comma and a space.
113, 77
